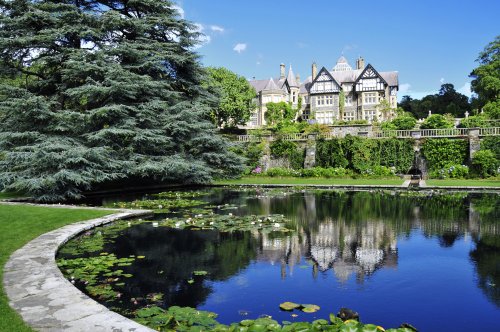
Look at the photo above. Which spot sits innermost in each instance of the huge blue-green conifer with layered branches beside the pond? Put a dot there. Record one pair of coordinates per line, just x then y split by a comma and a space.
110, 94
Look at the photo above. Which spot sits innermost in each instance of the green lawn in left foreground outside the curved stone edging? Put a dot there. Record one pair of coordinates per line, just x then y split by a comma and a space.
20, 224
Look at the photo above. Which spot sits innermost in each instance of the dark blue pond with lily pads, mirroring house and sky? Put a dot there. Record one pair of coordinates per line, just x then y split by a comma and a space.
429, 259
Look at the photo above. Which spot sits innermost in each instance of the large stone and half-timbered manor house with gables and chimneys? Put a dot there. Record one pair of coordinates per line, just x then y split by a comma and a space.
368, 94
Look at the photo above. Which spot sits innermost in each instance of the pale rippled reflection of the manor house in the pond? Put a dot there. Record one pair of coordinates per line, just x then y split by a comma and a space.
346, 249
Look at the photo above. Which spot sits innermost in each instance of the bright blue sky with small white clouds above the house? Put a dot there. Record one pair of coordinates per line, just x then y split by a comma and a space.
427, 42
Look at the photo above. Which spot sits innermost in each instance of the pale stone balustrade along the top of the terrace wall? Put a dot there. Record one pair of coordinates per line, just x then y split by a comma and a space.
415, 133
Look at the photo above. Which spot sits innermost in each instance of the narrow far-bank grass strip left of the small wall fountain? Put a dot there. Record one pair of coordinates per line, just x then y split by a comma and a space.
311, 181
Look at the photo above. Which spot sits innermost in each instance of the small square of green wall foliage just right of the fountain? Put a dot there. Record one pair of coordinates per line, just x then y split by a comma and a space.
444, 152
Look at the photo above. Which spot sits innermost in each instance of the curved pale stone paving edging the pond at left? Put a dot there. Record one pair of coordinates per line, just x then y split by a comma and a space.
46, 300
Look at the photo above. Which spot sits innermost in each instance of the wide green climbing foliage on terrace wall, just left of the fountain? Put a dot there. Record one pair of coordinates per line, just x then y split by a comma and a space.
361, 154
